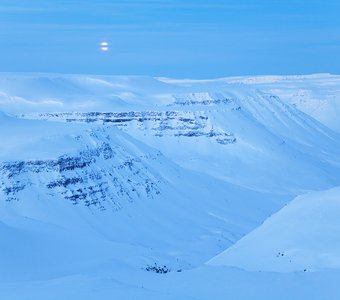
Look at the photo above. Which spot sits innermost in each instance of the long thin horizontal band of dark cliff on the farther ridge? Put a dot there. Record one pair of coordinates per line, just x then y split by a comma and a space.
162, 123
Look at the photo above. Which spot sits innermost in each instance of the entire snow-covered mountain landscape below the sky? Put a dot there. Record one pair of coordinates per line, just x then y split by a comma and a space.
129, 187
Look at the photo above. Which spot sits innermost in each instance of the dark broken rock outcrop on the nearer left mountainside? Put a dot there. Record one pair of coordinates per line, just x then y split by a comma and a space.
102, 174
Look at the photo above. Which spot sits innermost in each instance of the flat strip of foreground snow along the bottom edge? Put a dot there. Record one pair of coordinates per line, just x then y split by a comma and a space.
200, 284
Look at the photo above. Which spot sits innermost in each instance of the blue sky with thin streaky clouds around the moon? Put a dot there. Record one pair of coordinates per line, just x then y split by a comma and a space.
173, 38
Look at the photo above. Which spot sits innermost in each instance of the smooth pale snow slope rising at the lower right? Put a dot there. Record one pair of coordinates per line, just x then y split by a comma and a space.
301, 236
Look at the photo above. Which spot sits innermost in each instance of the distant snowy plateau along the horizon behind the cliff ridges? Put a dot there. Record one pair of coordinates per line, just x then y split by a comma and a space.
316, 95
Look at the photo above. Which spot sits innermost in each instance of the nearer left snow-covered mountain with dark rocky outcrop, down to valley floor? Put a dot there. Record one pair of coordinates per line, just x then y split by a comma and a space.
99, 183
